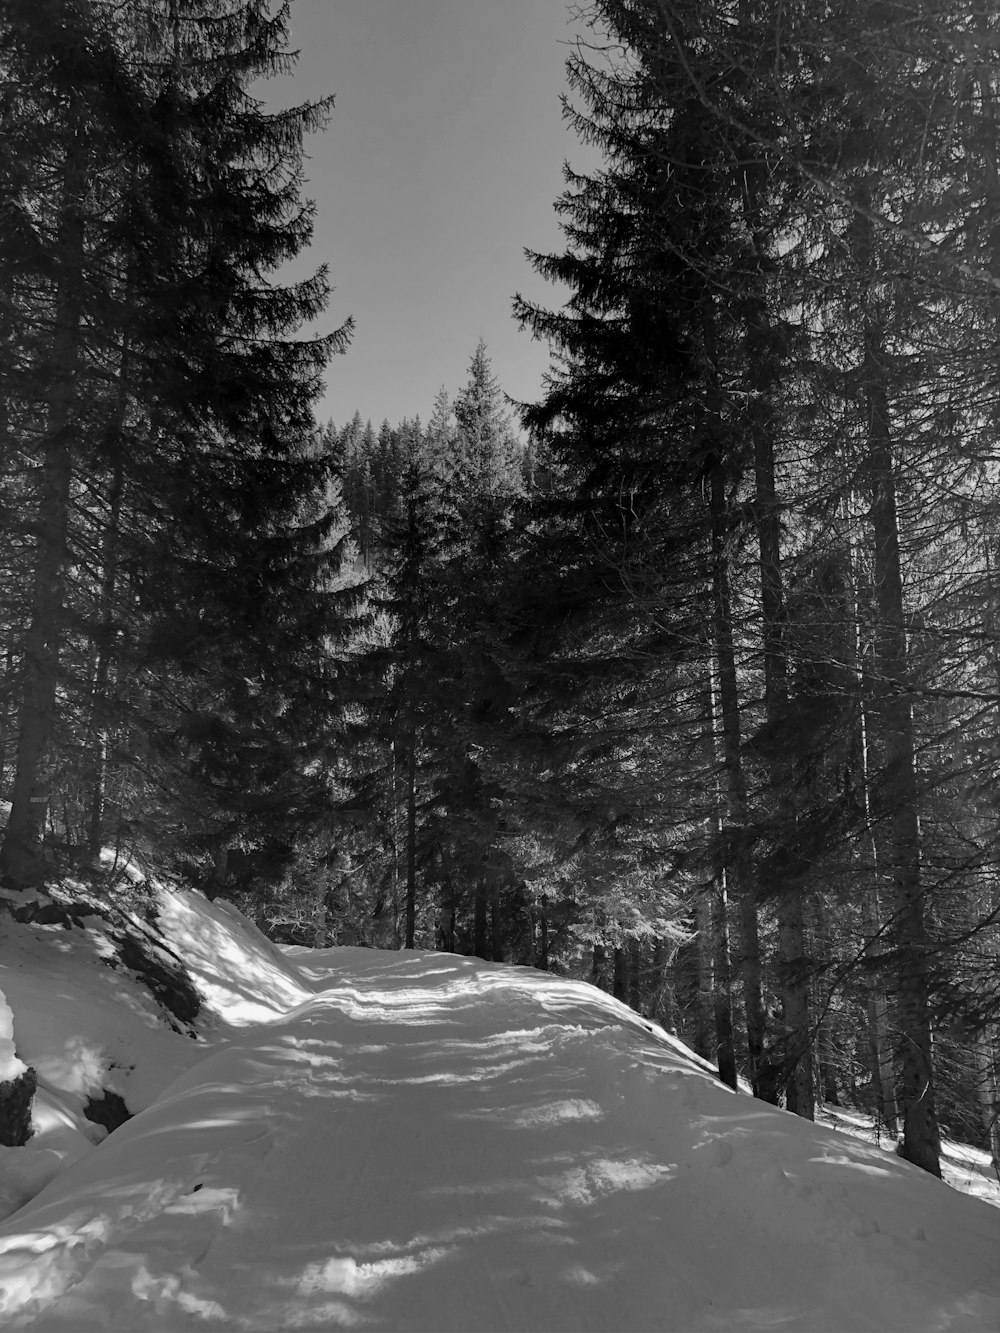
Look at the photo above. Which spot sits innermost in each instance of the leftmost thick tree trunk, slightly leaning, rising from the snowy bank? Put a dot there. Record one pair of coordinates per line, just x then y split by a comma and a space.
21, 858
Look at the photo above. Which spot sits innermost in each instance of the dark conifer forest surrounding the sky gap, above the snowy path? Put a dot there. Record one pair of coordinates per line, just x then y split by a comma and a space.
683, 679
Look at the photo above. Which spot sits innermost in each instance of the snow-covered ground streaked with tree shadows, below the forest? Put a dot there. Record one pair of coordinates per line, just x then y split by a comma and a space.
423, 1142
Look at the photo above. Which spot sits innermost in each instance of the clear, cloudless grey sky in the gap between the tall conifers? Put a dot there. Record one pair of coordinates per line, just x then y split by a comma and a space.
441, 165
